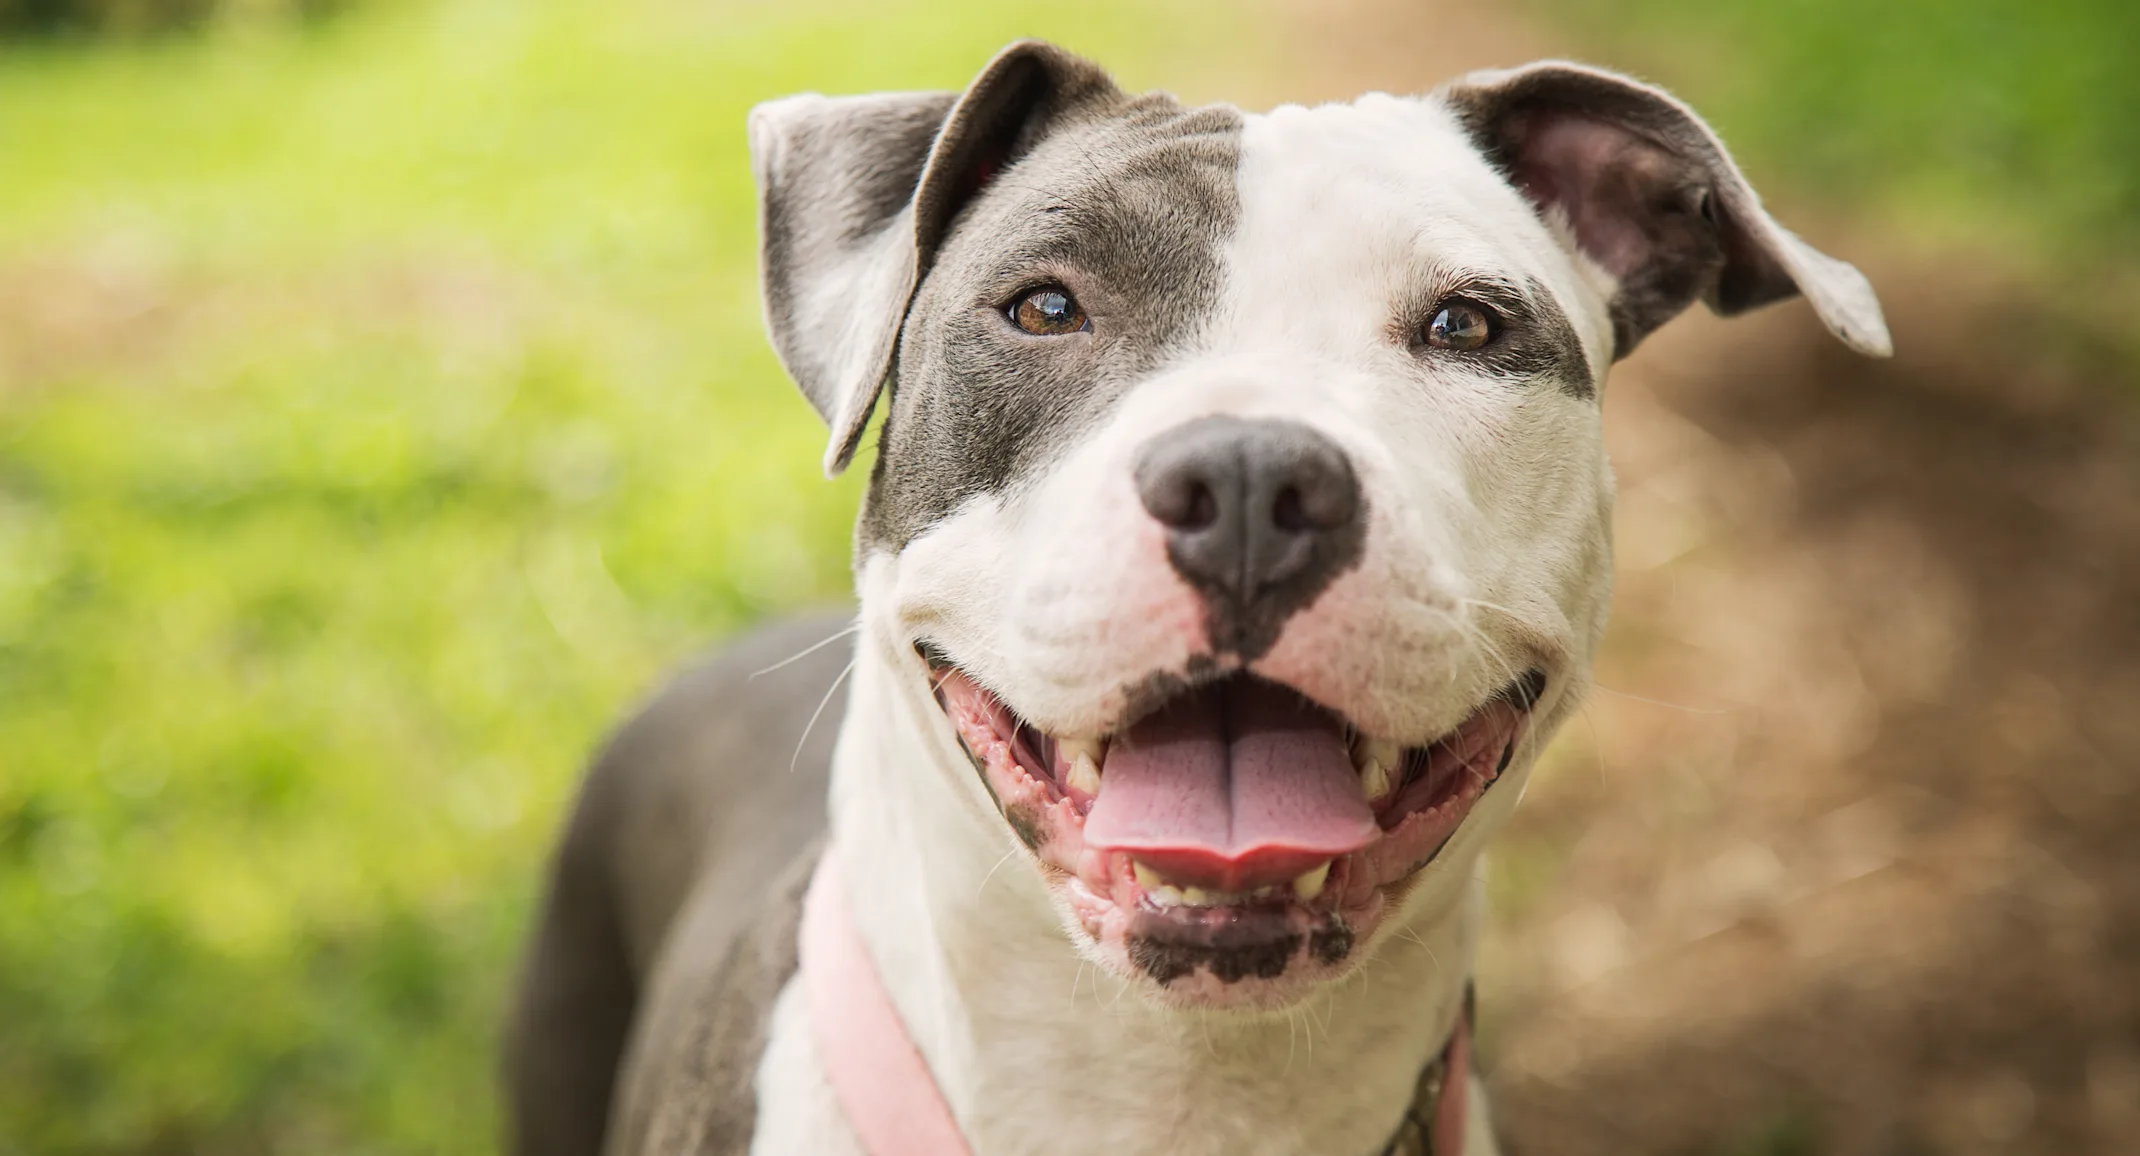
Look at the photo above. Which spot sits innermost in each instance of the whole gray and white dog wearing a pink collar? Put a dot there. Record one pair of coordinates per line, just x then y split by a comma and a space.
1238, 534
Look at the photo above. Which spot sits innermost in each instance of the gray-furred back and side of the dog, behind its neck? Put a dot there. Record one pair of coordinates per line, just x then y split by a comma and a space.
684, 823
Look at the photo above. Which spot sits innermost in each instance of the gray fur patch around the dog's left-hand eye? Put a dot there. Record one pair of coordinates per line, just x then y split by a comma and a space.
1129, 204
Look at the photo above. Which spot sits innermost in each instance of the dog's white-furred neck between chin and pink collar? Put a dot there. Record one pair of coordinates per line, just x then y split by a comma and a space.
1041, 1052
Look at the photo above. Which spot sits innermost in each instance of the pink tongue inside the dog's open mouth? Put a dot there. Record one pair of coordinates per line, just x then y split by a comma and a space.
1236, 787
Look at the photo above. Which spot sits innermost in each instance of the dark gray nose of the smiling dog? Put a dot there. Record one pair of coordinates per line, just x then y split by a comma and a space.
1259, 517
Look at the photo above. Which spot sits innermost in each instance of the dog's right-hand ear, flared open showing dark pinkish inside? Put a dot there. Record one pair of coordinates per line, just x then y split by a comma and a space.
1647, 192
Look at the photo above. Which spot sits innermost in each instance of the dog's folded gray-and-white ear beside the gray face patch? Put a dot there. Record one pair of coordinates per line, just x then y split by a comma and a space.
855, 196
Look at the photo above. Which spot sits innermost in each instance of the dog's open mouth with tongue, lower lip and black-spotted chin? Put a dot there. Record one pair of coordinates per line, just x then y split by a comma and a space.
1208, 919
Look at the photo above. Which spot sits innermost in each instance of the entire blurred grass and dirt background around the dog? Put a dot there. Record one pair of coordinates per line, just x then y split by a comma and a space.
384, 410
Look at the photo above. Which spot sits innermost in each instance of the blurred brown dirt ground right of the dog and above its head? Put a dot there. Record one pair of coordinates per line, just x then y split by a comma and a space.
1846, 851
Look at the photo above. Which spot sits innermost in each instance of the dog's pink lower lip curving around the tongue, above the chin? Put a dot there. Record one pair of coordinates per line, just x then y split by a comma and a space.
1045, 800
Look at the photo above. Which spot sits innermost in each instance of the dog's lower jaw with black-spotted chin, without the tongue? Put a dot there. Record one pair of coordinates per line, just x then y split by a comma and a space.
1264, 932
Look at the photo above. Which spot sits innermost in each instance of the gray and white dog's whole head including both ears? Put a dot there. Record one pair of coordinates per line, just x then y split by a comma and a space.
1242, 496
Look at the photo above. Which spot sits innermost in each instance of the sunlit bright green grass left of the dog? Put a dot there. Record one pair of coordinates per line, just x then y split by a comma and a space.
382, 408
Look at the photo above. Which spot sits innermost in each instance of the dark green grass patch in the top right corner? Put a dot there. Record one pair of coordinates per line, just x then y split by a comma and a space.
1970, 125
